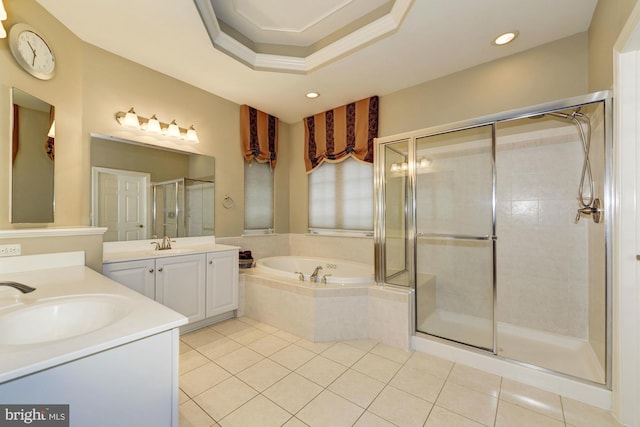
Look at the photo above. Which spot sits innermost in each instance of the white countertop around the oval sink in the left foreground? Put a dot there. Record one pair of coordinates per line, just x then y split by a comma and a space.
144, 318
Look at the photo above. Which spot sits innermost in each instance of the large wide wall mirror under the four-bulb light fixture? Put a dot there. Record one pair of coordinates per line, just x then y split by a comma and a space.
139, 191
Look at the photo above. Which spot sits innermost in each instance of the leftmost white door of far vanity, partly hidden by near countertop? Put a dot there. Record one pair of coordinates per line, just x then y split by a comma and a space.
136, 275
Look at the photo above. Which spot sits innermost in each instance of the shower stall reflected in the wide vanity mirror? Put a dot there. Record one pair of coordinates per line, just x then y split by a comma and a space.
183, 208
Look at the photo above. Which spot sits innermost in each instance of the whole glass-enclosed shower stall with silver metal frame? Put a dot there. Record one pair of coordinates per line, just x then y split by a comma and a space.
502, 226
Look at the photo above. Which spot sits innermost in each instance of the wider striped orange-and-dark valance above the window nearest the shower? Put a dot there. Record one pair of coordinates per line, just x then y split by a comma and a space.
342, 132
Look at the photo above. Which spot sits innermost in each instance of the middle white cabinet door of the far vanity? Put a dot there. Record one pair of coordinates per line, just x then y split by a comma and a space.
180, 284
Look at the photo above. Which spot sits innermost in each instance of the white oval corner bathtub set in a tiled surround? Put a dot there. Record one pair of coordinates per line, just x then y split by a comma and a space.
335, 270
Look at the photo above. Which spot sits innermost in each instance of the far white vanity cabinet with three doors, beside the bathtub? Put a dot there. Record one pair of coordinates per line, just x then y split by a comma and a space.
197, 286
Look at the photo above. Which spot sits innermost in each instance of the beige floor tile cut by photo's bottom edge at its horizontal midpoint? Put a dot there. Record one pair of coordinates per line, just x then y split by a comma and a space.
329, 409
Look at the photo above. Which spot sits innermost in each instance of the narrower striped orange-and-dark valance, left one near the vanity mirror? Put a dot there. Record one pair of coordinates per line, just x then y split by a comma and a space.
258, 136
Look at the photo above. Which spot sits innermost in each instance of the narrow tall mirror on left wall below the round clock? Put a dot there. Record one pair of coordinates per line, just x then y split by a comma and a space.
32, 159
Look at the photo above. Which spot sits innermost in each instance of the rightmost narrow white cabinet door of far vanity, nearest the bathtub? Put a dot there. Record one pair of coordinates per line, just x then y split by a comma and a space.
222, 282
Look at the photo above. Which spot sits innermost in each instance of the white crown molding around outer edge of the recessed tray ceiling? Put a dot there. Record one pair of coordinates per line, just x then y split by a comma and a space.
360, 38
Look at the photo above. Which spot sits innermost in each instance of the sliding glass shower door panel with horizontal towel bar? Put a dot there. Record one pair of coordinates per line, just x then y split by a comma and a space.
455, 235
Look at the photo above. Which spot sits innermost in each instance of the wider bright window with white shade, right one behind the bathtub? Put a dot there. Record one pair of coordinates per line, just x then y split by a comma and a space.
341, 196
